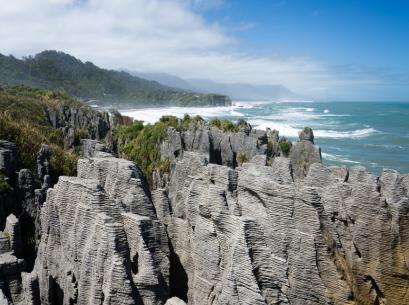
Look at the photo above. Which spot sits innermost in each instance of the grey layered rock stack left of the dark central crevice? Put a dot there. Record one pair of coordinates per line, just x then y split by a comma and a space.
101, 241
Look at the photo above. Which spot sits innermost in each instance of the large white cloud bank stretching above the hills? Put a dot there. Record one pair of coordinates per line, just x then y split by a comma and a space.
152, 35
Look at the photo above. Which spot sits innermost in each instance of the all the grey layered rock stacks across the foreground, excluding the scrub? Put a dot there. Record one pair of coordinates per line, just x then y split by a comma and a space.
273, 229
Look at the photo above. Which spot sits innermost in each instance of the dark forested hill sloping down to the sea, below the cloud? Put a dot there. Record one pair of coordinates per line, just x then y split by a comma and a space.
84, 80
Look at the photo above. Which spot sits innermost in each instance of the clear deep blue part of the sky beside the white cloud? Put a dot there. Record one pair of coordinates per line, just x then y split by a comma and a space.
372, 34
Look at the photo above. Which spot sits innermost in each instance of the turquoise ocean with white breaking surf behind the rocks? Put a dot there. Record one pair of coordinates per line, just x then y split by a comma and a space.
372, 134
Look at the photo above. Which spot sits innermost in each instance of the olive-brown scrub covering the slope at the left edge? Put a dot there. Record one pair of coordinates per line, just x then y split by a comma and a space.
22, 122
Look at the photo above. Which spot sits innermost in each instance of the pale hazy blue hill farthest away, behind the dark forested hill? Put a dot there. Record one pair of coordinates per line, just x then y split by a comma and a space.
236, 91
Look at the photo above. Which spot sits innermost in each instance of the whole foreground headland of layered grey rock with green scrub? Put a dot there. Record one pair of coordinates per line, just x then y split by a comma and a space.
211, 213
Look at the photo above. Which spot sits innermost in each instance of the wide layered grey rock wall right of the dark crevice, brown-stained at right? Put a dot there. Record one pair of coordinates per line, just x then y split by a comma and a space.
254, 236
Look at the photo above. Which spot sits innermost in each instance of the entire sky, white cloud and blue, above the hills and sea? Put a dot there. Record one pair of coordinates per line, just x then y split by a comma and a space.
320, 49
